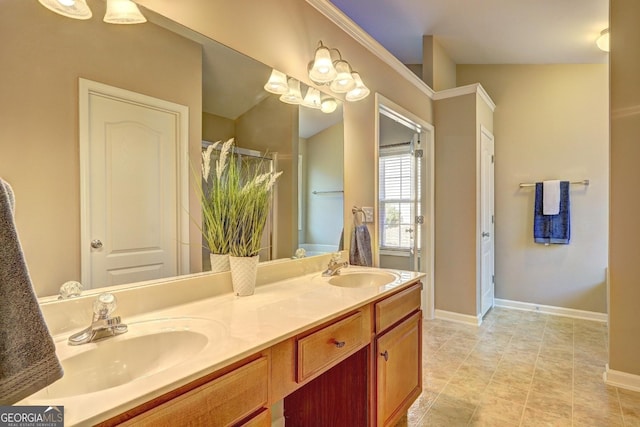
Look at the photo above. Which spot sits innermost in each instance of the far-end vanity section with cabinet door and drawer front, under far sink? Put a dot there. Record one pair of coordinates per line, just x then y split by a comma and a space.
398, 354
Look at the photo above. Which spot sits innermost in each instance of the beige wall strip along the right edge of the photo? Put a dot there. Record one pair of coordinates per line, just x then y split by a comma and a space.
624, 255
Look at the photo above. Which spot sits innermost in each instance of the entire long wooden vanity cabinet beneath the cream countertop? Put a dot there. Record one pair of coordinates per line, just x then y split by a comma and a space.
362, 368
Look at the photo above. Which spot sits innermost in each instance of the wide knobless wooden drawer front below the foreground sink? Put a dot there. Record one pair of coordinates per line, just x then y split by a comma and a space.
224, 401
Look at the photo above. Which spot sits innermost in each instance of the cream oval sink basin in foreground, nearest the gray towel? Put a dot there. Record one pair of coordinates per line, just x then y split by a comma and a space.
149, 347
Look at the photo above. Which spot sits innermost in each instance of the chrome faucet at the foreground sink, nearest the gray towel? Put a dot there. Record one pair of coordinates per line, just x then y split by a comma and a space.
103, 325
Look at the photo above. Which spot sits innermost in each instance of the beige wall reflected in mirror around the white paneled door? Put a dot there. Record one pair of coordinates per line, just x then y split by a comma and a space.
45, 54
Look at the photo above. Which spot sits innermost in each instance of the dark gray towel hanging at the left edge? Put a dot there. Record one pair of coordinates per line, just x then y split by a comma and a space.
28, 360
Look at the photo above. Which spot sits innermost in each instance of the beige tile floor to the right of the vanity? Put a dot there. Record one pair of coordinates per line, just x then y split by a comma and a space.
519, 369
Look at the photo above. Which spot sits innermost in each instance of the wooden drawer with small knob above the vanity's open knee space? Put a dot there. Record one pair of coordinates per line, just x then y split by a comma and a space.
327, 346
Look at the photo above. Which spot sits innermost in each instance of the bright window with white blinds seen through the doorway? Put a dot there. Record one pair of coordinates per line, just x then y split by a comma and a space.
397, 201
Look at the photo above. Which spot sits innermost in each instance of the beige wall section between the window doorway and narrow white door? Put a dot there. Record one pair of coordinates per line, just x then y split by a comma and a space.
455, 205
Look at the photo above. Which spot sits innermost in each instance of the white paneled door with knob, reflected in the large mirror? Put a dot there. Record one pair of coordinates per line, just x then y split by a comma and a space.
131, 149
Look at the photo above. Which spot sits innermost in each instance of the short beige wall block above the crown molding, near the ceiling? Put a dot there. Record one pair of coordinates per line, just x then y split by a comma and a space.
438, 69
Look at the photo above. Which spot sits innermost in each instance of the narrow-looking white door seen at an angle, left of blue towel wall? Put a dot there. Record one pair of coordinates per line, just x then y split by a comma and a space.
487, 247
